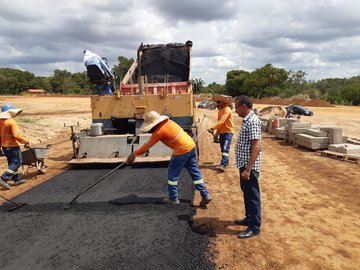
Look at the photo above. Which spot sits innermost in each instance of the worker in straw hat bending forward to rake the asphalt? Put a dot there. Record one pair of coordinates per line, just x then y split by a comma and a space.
184, 156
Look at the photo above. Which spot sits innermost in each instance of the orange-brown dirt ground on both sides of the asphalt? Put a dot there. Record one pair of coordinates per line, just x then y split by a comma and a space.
311, 208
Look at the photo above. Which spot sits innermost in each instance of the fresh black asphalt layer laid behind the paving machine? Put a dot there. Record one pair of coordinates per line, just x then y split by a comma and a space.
134, 231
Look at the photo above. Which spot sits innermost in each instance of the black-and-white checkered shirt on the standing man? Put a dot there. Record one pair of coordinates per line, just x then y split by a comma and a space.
250, 130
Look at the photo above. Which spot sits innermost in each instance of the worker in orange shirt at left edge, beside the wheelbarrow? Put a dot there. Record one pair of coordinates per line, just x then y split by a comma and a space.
9, 138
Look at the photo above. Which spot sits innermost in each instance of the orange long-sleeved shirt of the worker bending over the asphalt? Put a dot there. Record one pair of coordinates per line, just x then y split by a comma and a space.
170, 134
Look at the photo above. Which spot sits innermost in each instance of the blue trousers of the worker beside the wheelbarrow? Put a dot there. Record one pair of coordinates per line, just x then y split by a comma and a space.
13, 156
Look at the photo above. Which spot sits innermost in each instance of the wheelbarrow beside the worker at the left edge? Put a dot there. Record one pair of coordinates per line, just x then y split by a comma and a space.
34, 157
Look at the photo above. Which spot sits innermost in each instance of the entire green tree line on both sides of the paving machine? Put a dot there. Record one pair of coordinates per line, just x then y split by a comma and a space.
267, 81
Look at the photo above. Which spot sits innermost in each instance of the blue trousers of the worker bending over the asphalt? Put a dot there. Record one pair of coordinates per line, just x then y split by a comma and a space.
189, 162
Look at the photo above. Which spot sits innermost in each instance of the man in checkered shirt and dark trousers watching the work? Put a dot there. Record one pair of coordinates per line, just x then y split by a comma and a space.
248, 161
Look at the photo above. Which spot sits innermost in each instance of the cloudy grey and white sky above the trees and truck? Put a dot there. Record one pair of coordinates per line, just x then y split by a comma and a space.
320, 37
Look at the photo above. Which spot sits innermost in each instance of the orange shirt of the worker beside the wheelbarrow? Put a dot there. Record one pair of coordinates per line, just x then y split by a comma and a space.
10, 133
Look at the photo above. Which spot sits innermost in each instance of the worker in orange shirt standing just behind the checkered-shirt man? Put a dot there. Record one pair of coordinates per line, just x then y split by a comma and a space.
224, 128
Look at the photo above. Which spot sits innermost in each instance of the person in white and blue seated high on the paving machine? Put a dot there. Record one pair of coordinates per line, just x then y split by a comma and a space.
92, 59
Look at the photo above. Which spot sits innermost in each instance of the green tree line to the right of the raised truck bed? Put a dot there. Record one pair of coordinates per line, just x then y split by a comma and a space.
270, 81
